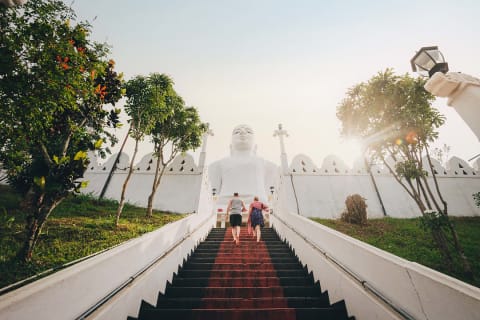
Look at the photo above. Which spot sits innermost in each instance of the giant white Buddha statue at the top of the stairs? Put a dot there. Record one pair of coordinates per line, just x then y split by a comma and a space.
242, 171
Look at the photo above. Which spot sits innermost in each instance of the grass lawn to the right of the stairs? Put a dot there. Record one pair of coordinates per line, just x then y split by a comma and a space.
405, 238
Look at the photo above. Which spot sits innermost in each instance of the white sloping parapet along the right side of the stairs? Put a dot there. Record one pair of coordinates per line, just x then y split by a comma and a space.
422, 292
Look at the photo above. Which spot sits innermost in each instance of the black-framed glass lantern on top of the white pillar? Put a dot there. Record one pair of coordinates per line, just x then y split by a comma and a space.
429, 60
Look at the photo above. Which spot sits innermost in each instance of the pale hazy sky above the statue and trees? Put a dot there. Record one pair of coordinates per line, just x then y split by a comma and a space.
265, 62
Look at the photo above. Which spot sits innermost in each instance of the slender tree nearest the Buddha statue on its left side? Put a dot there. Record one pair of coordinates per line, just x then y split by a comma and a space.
179, 131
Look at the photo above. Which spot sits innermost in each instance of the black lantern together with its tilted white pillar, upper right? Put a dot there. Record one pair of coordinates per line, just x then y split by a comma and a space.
462, 90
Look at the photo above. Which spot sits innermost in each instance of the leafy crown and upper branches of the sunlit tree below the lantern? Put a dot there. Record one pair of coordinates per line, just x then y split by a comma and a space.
393, 116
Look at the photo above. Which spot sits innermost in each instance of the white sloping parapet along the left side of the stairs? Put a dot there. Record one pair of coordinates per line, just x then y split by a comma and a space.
68, 293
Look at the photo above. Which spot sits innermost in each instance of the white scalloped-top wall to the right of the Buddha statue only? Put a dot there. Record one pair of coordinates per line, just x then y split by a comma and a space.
320, 192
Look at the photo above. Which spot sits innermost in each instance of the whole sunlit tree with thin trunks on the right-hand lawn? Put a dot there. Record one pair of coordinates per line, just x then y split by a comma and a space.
393, 115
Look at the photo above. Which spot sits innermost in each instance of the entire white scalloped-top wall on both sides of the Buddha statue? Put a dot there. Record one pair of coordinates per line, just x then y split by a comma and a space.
310, 190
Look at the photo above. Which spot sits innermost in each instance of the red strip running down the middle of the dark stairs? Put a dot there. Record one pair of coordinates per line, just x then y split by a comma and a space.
243, 277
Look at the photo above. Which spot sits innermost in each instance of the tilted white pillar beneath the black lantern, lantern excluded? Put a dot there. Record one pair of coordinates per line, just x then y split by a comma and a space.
463, 93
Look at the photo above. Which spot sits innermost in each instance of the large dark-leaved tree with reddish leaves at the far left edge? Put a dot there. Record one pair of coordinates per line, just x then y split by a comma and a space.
54, 83
